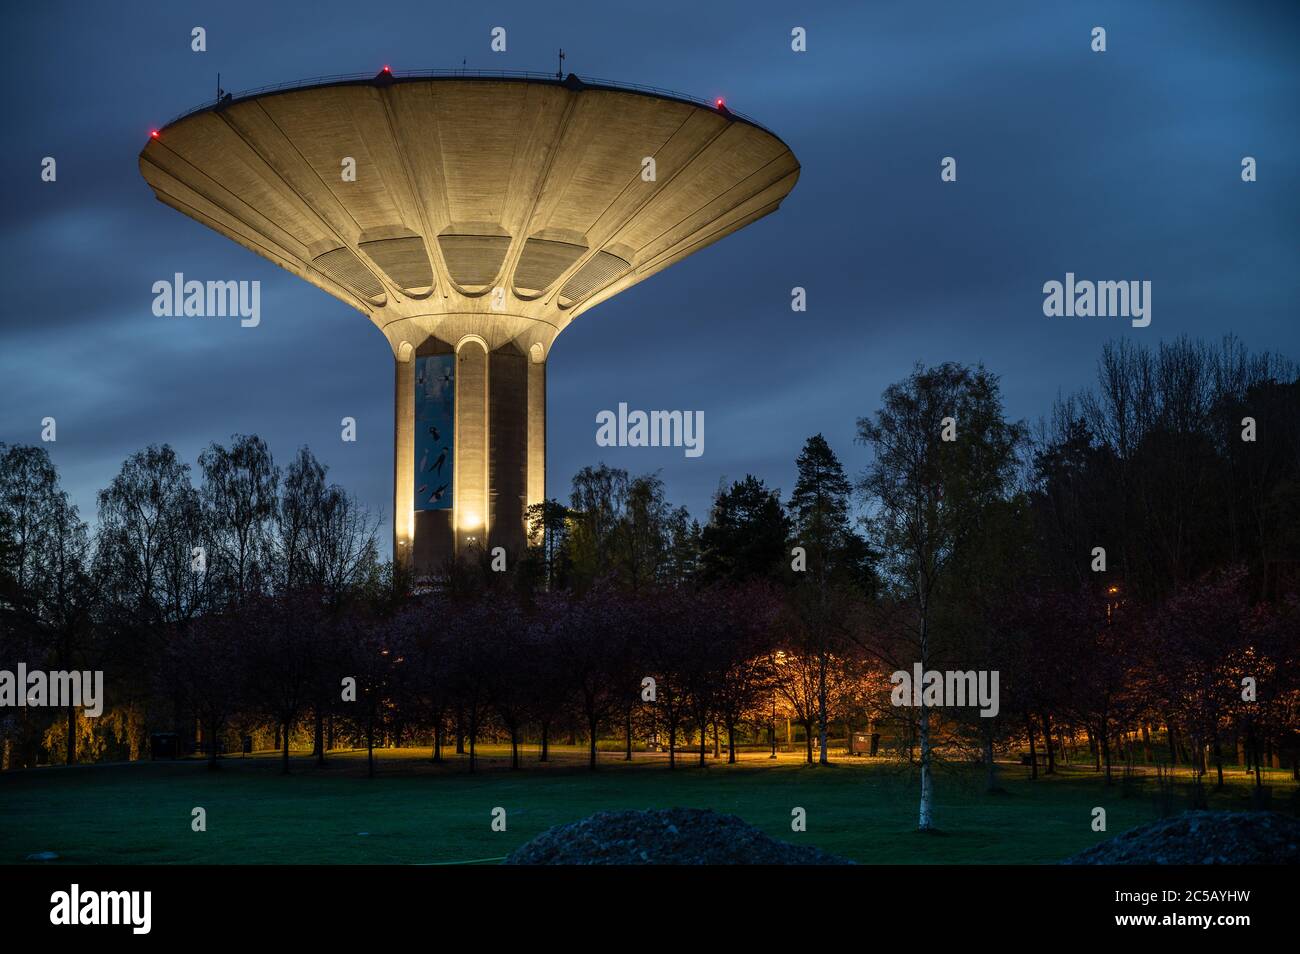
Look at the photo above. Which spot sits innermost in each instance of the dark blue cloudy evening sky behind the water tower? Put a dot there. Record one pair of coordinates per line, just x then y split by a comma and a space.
1117, 166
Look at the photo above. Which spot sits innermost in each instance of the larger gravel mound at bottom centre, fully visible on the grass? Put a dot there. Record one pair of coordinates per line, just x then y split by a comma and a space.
671, 836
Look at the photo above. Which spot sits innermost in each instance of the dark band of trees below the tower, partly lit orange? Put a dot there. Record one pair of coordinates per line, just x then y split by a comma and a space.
1130, 566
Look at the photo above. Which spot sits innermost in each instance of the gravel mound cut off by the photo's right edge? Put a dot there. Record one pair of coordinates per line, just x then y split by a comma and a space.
1203, 838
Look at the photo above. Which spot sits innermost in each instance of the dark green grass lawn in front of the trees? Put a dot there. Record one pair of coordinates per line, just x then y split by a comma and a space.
415, 813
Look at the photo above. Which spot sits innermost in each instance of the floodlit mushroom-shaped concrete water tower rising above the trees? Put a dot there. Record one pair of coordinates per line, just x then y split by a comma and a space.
487, 213
